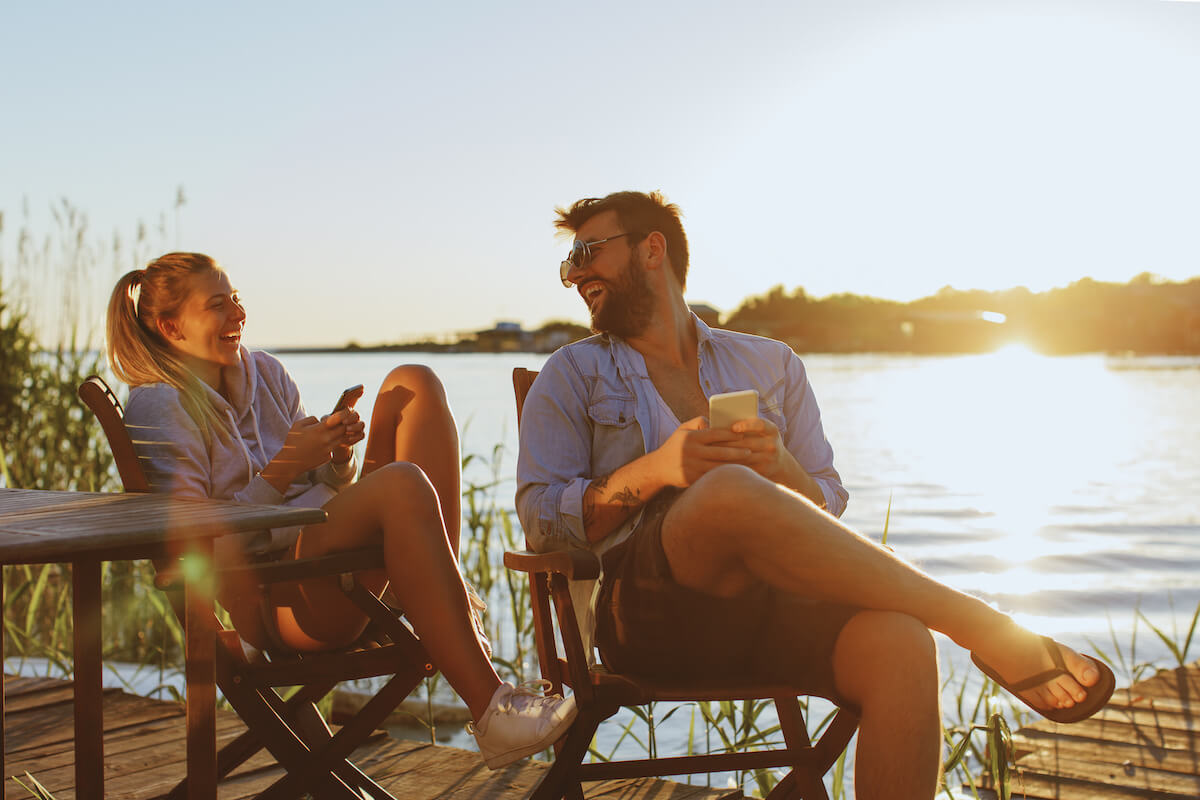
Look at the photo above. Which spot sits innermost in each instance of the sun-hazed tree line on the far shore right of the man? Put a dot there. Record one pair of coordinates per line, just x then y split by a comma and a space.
1145, 316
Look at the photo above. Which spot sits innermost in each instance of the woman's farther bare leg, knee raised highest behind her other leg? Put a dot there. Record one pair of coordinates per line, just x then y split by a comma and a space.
412, 423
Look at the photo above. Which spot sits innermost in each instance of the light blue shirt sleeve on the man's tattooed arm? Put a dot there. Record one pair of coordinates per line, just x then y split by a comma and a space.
554, 466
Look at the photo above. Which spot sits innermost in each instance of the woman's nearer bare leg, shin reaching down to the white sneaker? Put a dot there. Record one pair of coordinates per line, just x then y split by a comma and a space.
397, 503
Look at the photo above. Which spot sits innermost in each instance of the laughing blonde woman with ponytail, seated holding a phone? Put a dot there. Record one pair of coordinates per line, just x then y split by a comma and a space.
213, 419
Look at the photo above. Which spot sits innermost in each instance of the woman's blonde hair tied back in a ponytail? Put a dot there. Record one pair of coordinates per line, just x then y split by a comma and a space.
137, 351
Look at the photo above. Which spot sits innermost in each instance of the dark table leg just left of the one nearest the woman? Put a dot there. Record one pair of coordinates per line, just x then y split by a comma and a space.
89, 694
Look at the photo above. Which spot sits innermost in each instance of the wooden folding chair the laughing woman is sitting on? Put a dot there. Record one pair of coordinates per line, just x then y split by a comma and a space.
291, 730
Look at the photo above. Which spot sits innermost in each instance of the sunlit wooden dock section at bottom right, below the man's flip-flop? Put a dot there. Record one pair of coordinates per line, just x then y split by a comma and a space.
1144, 744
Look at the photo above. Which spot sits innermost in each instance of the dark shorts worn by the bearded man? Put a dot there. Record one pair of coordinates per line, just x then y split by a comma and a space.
647, 624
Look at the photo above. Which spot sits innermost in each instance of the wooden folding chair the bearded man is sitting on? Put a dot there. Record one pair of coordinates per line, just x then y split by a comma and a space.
601, 693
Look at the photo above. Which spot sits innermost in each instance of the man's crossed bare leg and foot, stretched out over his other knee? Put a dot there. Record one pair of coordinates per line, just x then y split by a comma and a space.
734, 527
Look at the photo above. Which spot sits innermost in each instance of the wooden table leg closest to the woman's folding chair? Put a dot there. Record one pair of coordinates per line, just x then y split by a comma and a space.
201, 671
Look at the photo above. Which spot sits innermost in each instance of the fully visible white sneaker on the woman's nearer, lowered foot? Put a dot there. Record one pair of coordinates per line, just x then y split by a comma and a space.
521, 721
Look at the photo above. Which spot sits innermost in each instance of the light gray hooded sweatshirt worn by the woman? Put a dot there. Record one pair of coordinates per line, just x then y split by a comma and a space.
189, 459
